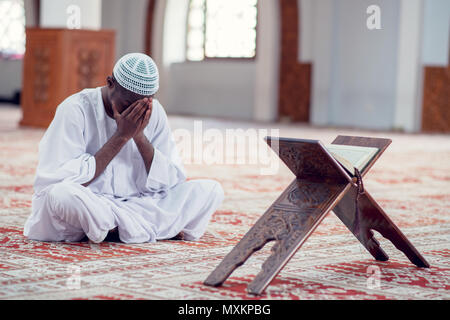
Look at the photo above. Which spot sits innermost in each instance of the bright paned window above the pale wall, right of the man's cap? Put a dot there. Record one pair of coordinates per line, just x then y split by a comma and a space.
221, 29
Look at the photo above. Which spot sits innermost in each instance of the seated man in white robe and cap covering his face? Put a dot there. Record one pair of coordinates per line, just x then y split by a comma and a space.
108, 164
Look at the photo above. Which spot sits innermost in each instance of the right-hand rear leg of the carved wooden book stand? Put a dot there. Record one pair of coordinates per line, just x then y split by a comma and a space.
372, 217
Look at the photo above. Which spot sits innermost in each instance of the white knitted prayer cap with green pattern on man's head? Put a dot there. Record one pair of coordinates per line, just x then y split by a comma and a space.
137, 73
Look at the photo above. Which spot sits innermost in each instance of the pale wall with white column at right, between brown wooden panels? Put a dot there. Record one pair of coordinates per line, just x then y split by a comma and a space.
372, 78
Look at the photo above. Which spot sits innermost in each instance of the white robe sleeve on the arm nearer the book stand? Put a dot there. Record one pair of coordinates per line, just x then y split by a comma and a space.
167, 169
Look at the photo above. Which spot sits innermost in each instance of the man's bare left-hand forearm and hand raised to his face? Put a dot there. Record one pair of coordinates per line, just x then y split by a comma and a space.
128, 124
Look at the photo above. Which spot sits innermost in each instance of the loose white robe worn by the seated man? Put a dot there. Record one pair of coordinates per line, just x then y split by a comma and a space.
144, 207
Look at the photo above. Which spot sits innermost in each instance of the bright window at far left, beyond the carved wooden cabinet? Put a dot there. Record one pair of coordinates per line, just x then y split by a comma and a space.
12, 28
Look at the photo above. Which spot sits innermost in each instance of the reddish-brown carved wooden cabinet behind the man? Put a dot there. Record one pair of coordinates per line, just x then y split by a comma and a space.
61, 62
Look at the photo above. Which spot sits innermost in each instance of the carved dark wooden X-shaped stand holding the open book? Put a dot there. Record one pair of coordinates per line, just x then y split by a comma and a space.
321, 185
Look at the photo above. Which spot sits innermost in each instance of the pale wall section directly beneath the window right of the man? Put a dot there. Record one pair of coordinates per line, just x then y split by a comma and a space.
220, 89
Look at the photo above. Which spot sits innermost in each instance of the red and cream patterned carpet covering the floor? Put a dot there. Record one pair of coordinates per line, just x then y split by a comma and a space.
411, 181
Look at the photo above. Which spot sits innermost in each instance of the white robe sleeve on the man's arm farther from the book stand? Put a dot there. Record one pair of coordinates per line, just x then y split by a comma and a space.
62, 150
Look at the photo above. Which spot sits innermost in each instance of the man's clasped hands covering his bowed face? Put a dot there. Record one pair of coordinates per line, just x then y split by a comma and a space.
132, 121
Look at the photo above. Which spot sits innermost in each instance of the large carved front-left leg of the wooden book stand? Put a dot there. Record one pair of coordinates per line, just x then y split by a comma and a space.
289, 222
